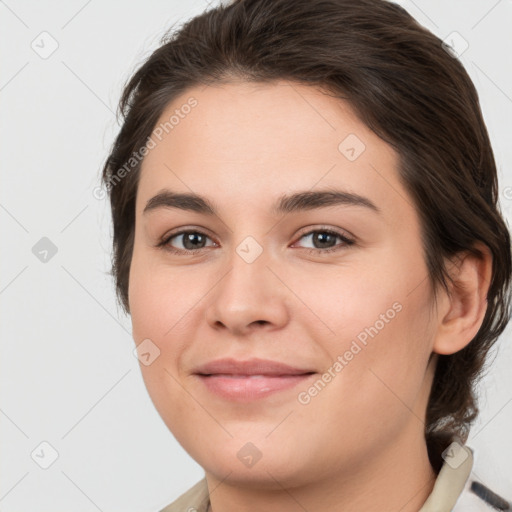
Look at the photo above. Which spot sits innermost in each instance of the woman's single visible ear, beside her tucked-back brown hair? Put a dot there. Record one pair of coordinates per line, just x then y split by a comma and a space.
461, 312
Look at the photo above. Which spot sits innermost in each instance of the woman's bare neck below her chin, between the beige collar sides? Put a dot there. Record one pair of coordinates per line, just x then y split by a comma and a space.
399, 477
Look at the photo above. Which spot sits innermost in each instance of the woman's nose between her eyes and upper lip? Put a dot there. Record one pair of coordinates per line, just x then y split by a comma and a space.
249, 296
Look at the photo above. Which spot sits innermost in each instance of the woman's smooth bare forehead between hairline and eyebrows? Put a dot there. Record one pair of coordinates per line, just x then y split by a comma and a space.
248, 143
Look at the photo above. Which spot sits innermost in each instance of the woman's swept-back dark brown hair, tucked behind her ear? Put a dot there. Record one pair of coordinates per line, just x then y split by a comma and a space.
403, 84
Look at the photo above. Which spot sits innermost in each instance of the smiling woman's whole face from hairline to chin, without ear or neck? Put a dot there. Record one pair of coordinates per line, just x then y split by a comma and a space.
263, 276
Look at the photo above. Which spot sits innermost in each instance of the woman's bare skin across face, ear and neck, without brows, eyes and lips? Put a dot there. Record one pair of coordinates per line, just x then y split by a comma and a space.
359, 443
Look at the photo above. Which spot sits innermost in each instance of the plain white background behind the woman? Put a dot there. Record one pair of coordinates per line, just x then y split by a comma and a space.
68, 374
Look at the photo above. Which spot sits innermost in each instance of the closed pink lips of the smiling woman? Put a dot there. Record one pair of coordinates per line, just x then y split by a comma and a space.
244, 381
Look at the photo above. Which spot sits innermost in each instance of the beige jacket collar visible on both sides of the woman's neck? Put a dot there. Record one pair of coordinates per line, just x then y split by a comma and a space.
452, 484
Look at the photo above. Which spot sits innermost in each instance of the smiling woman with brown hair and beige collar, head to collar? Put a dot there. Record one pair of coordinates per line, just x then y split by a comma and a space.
307, 239
